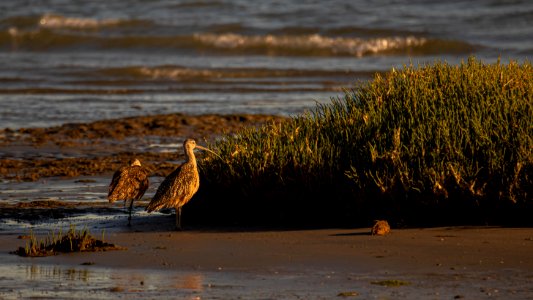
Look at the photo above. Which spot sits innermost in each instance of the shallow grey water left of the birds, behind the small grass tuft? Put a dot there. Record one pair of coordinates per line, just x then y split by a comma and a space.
82, 202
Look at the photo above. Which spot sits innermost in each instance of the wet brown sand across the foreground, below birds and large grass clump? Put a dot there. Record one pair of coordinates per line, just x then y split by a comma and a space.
210, 263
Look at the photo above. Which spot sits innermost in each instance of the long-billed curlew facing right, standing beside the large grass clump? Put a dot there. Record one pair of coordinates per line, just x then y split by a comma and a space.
180, 185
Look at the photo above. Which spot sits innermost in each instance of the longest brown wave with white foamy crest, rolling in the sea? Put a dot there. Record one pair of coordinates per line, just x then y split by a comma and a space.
306, 45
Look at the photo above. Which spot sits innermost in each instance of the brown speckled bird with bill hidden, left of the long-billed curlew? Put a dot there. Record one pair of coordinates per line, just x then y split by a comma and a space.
129, 183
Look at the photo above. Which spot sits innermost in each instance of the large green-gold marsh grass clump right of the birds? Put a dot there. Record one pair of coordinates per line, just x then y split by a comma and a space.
445, 141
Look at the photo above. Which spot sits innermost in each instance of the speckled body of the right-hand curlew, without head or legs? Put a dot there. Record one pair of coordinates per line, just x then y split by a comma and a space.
177, 188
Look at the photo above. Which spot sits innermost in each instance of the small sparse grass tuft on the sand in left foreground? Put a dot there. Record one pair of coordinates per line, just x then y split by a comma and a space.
71, 241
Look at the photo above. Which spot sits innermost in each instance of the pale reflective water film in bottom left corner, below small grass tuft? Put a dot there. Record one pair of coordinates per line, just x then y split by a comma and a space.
90, 282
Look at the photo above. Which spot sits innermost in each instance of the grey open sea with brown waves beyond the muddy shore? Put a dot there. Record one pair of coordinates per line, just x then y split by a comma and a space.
77, 61
